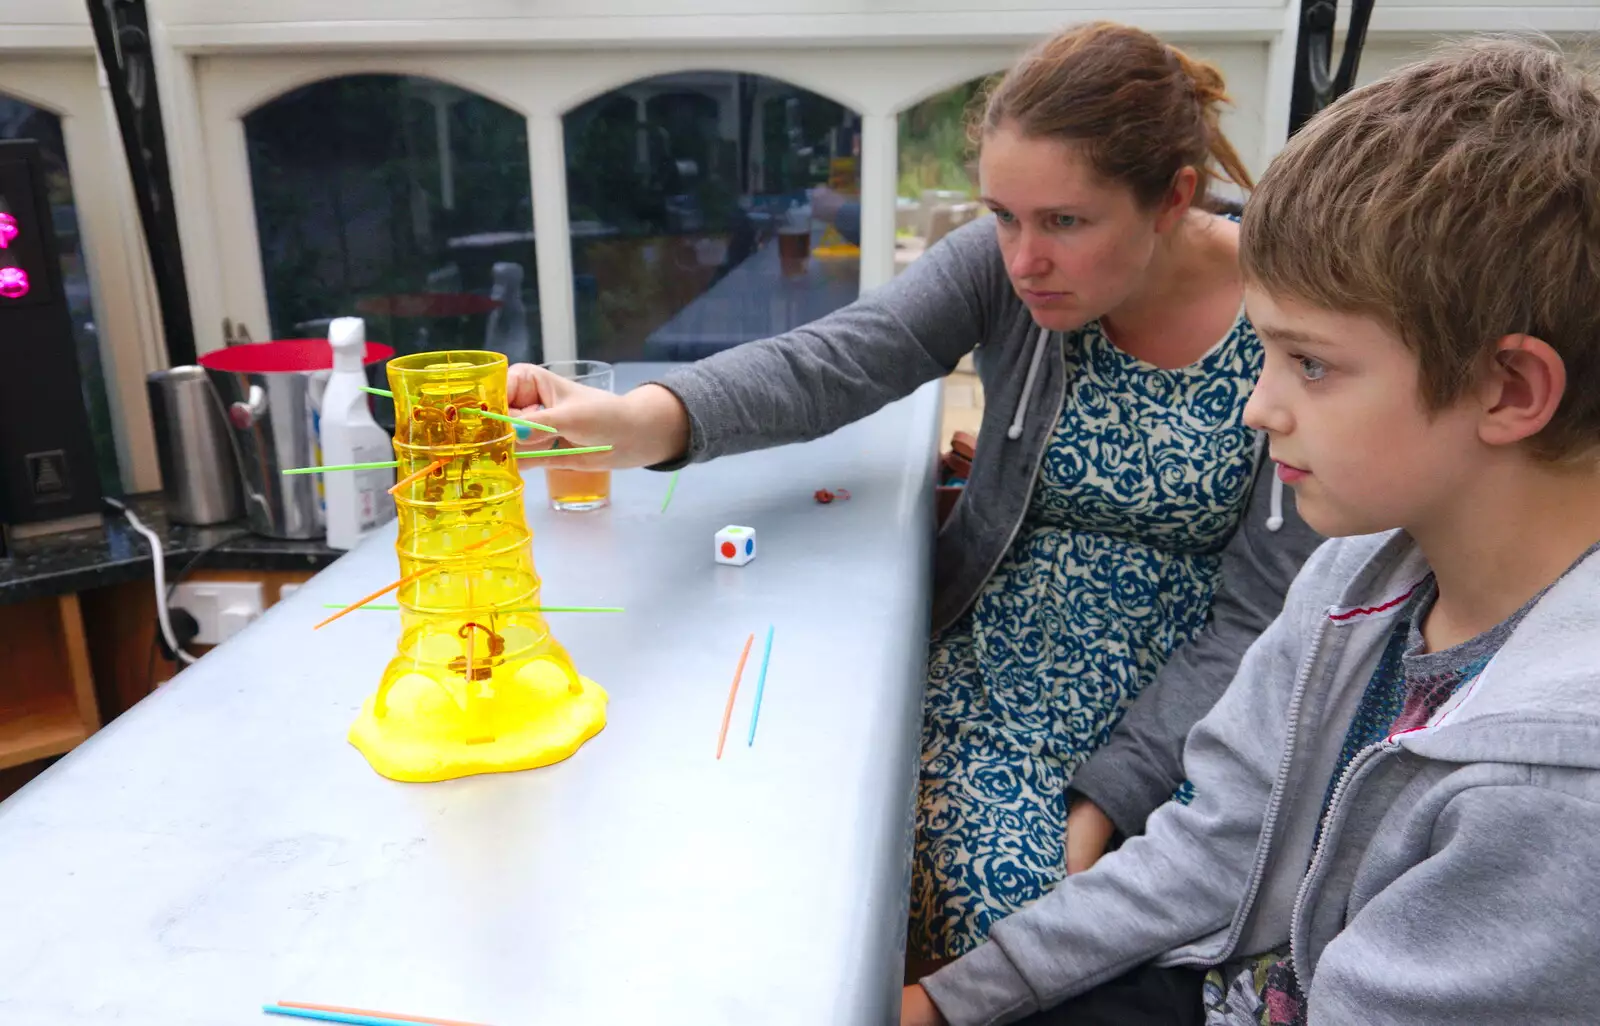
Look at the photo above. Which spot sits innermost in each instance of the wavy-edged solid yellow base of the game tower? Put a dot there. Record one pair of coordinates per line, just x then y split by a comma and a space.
425, 734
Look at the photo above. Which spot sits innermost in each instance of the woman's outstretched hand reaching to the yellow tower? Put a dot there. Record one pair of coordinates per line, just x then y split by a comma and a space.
644, 428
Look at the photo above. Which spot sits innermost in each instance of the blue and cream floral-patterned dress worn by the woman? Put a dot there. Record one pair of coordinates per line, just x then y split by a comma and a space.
1113, 569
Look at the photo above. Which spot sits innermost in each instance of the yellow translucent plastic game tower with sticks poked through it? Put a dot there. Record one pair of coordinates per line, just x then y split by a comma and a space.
479, 684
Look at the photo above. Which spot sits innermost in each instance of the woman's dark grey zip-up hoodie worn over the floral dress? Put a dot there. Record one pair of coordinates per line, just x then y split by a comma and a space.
913, 331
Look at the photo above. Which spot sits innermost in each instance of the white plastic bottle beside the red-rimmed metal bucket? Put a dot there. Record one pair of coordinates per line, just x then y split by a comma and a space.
358, 500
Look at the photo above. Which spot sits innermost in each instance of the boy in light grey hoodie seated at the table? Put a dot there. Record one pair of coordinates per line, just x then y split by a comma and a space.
1398, 803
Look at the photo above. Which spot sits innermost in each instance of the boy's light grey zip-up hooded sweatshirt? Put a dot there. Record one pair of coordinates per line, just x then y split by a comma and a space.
1458, 868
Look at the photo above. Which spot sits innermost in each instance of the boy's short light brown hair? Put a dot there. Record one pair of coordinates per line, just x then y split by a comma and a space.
1457, 201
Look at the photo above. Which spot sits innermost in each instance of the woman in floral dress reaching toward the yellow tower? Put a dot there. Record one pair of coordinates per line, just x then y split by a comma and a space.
1106, 308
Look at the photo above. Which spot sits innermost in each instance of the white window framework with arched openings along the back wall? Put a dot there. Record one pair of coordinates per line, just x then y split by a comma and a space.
878, 62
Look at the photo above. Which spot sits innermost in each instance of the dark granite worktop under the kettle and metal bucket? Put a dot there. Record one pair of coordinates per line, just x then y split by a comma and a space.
116, 553
